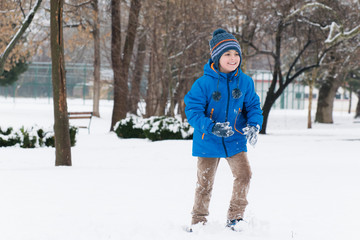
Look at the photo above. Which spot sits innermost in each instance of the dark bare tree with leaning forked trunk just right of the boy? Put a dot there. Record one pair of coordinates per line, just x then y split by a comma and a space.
284, 74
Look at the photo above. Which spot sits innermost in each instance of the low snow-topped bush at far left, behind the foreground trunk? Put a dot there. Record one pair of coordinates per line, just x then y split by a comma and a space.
31, 138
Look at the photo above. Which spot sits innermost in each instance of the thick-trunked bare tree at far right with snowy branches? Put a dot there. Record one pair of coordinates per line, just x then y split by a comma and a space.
344, 33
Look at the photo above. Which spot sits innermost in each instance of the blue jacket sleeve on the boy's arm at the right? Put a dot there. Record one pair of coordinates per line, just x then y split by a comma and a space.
252, 105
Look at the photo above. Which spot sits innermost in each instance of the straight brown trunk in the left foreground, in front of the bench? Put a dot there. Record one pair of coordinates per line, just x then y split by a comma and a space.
61, 125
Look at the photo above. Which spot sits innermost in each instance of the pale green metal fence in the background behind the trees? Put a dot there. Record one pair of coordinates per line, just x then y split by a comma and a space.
36, 83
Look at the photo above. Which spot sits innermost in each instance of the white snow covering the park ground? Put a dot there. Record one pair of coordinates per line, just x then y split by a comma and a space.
305, 182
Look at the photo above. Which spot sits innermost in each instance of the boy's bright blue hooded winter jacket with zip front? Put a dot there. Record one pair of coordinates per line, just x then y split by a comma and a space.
203, 111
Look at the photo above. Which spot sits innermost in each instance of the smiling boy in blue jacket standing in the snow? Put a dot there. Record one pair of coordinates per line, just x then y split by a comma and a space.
225, 112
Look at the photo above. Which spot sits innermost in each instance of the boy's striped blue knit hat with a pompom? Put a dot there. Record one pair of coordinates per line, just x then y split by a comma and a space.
222, 42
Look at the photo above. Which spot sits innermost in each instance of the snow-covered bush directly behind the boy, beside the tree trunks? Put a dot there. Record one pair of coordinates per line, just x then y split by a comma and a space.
153, 128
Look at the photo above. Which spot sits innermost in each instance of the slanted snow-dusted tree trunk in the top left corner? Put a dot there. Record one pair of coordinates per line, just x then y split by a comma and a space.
18, 35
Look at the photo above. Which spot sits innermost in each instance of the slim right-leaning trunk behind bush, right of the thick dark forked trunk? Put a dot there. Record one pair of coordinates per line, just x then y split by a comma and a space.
139, 69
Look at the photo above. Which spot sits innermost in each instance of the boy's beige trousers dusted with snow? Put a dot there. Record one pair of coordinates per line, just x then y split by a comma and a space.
206, 169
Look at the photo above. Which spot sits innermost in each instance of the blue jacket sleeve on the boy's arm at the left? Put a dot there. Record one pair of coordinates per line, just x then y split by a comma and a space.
195, 109
